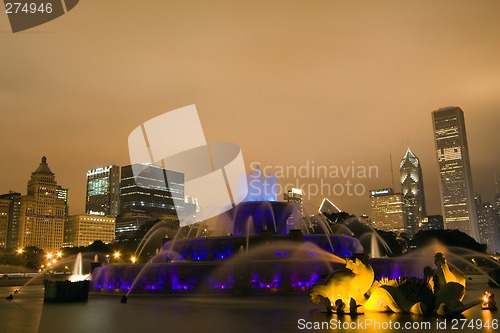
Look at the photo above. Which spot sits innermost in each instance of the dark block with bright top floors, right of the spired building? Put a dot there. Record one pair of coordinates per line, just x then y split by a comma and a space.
103, 191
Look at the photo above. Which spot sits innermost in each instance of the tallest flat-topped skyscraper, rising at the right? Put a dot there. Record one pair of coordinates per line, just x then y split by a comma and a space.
457, 194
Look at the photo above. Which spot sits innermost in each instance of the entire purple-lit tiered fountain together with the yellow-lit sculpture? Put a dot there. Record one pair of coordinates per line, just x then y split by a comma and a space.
271, 249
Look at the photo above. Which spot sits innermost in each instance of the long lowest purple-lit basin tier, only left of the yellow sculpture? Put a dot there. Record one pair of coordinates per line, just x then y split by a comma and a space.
210, 277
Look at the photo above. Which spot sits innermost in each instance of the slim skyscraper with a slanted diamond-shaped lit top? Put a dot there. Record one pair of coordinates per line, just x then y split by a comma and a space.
412, 188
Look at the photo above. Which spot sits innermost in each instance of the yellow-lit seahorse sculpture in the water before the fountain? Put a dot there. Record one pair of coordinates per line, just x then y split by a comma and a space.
441, 291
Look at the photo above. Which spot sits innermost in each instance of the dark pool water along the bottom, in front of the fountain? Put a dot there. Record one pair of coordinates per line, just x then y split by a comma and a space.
271, 313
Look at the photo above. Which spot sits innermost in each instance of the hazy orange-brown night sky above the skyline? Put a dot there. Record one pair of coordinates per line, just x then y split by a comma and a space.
340, 83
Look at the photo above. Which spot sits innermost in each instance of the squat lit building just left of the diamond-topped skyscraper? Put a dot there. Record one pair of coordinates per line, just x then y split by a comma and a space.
387, 210
